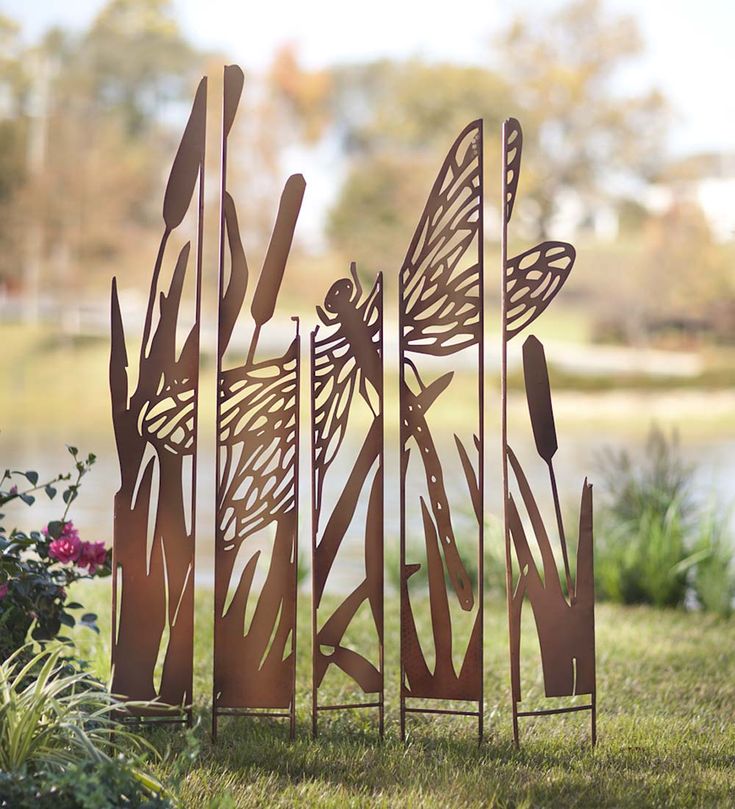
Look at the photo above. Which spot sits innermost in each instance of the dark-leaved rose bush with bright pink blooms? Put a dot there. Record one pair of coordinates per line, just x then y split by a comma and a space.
36, 568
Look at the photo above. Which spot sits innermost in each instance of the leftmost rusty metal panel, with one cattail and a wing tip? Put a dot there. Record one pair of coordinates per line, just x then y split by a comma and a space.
156, 436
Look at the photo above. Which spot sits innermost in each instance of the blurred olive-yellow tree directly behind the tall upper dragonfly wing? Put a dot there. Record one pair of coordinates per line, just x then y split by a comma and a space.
396, 121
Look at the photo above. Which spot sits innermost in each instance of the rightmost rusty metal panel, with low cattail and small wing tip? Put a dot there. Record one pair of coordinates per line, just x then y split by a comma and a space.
564, 615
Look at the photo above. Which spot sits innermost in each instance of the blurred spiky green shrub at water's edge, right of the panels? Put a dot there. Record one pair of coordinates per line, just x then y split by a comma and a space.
654, 542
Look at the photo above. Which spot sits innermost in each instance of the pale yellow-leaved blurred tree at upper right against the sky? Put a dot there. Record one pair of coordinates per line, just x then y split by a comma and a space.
563, 68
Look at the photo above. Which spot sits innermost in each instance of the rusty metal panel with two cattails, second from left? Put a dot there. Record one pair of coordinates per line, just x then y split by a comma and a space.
257, 470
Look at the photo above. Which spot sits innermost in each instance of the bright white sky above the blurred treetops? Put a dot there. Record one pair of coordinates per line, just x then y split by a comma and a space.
690, 51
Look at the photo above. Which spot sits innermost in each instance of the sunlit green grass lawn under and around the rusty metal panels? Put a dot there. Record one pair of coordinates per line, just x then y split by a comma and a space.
666, 683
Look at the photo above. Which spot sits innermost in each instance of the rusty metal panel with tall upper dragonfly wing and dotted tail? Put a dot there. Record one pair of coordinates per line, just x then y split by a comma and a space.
441, 316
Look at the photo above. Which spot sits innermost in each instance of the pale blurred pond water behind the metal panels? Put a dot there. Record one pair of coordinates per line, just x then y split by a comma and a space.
586, 425
